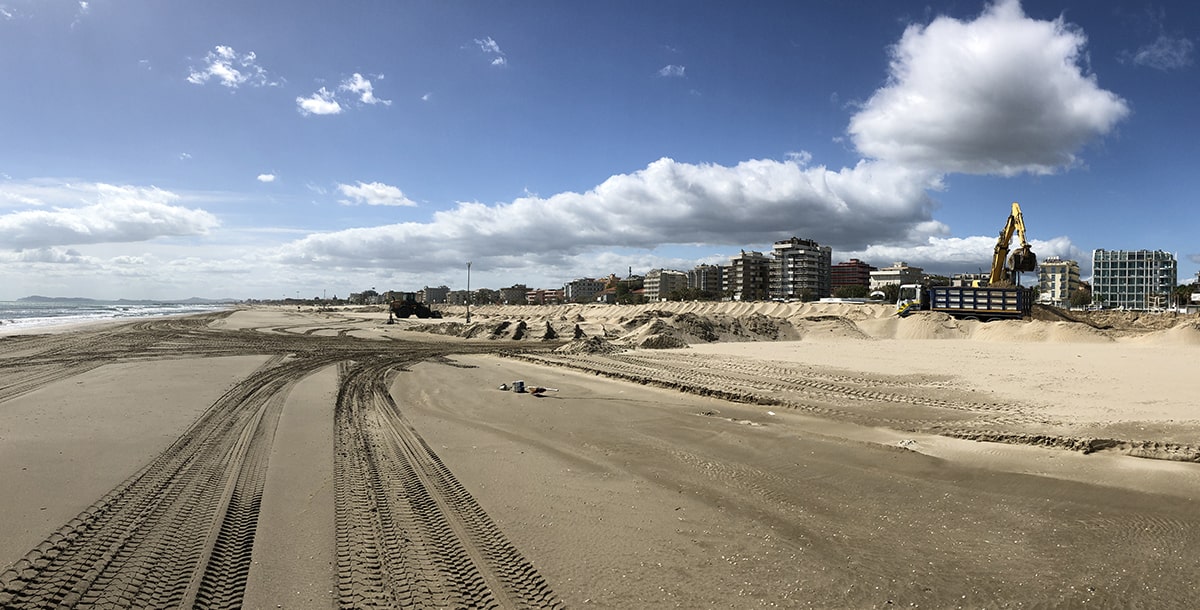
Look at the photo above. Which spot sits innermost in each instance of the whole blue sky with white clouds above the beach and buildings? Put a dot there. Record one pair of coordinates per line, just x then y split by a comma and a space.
267, 149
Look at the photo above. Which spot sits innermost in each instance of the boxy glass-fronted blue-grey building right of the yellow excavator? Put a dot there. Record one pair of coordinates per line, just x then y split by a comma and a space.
1133, 279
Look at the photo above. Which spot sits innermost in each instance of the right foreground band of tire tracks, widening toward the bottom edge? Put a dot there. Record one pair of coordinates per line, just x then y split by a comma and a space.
409, 534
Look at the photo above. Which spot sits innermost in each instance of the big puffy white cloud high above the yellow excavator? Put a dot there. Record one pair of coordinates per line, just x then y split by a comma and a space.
1004, 94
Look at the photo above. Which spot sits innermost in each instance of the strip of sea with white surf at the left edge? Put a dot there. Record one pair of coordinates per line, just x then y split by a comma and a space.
37, 315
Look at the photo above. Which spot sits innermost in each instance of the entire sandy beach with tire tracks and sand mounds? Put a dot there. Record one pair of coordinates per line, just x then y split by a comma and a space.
688, 456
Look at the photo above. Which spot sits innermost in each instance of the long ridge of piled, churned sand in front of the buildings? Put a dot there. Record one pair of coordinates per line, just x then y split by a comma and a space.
681, 325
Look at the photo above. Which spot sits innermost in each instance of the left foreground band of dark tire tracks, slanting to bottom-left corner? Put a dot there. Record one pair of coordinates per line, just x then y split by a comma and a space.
177, 534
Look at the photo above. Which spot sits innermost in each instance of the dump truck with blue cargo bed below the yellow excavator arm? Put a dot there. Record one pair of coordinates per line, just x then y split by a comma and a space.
982, 303
